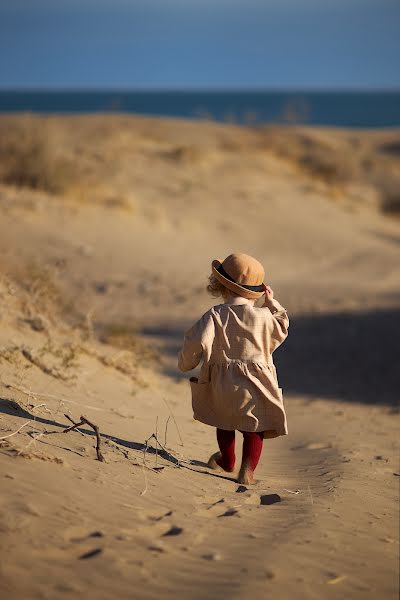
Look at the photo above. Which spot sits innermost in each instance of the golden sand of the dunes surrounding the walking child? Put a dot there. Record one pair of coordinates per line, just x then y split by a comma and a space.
99, 280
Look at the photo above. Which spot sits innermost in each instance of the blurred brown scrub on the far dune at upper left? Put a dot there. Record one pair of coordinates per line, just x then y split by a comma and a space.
48, 154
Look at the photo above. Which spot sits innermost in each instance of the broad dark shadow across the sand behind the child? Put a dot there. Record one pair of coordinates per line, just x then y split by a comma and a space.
347, 356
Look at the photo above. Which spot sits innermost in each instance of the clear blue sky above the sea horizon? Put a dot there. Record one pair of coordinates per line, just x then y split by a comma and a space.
200, 44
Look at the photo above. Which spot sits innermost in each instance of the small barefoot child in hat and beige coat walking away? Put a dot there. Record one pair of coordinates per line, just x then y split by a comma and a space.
237, 388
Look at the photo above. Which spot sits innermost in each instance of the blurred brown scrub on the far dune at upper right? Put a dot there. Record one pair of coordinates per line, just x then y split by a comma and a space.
344, 159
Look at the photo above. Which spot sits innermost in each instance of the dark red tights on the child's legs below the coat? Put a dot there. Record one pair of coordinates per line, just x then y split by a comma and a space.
252, 446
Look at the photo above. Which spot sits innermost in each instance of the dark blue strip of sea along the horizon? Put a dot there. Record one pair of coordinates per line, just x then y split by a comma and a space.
345, 109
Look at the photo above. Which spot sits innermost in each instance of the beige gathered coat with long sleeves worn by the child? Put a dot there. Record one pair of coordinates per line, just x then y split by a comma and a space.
238, 386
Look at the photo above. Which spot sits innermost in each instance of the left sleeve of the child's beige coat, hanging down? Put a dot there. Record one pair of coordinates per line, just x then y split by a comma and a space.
195, 342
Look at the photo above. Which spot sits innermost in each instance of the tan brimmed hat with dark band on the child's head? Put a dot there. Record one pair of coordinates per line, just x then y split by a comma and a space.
242, 274
